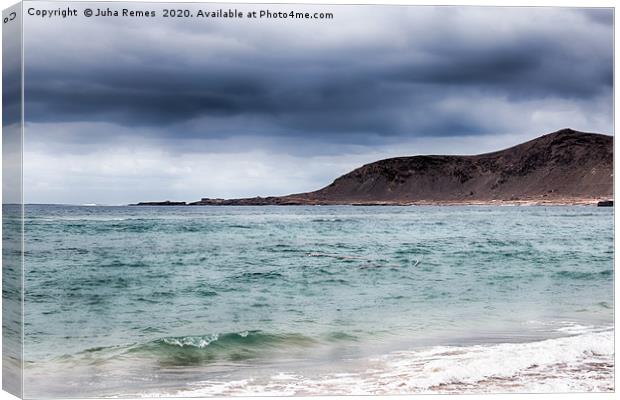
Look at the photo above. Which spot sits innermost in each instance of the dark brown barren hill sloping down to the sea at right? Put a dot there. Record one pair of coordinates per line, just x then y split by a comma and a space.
561, 167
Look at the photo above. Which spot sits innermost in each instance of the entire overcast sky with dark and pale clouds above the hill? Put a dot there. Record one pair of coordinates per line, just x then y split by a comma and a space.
122, 110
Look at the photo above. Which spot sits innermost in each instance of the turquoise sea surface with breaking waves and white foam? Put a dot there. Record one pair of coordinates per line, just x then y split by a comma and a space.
317, 300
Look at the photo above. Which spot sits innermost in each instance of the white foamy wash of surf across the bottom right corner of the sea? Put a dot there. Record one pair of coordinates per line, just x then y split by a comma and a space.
583, 362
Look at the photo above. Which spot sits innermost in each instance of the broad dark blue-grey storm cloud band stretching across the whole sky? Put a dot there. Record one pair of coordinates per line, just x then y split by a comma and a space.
350, 91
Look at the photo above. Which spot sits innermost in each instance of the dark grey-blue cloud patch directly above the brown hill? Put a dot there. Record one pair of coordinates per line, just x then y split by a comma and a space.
527, 69
